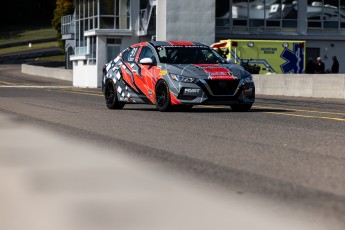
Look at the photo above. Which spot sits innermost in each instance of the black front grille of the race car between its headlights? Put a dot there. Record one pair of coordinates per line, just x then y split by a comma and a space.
219, 87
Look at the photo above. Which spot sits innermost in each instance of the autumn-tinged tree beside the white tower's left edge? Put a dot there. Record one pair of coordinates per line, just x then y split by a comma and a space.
63, 7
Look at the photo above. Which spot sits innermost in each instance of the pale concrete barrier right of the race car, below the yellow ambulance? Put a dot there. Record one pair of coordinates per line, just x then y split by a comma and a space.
301, 85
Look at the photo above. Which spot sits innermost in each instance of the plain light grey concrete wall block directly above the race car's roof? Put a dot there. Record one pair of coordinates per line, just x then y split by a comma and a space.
192, 20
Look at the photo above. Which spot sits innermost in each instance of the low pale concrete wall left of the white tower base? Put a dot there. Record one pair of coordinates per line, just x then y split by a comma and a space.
58, 73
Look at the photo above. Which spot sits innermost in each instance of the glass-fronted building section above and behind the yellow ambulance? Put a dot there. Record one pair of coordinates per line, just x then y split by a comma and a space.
321, 23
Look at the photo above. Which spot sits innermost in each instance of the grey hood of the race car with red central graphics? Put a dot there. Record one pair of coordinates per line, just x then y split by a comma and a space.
208, 71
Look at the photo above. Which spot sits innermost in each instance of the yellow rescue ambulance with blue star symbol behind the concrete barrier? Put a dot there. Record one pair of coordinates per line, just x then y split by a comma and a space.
272, 56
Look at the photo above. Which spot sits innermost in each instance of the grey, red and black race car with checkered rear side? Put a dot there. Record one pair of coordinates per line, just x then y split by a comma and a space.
174, 75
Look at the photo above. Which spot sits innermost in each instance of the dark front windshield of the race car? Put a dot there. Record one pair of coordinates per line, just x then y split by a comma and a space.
188, 55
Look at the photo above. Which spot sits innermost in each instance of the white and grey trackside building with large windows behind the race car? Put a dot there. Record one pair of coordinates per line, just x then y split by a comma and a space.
100, 29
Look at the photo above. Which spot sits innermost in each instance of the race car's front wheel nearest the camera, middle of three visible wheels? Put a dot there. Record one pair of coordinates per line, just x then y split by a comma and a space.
163, 101
